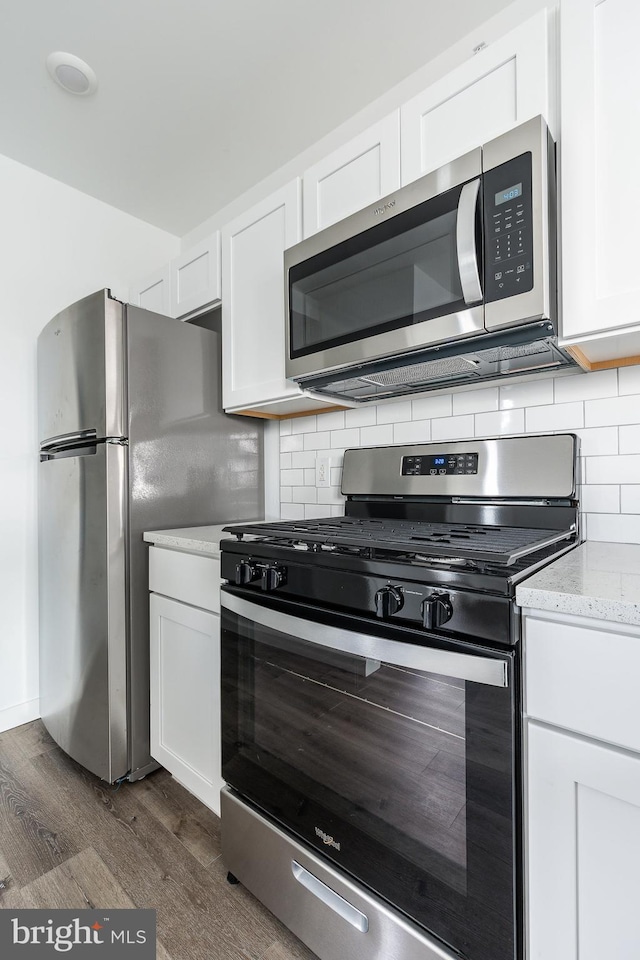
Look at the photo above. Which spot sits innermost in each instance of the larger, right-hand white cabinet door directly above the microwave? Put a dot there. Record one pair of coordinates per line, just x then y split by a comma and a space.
501, 86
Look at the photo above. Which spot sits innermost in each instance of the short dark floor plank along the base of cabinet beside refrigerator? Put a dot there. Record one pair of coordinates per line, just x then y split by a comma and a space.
193, 824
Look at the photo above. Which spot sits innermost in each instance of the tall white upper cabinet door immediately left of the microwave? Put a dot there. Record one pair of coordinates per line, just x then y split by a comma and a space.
253, 331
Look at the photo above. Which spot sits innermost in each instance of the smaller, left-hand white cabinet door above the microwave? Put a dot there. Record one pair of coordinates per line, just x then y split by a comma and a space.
359, 173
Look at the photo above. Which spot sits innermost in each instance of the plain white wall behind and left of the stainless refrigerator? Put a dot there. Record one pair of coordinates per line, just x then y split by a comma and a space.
56, 246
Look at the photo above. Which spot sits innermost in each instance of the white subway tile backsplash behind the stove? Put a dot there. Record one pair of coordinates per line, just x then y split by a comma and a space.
603, 408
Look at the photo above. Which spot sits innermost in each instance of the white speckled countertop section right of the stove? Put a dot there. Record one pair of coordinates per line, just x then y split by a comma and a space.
599, 580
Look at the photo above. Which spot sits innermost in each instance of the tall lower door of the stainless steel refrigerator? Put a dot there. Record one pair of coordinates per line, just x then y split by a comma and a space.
83, 605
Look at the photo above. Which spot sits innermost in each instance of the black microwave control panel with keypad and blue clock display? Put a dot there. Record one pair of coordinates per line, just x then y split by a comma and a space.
508, 226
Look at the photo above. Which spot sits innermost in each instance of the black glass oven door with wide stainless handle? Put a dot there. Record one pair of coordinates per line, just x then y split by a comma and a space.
396, 760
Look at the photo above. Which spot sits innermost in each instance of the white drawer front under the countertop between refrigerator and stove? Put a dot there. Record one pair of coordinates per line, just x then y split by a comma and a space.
188, 577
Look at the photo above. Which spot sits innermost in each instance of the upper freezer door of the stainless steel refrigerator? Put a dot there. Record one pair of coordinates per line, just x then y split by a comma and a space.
81, 377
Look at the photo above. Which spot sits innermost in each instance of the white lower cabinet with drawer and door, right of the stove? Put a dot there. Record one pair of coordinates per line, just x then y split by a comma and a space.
583, 788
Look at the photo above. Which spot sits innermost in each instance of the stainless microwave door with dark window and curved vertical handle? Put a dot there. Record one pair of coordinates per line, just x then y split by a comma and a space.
372, 287
